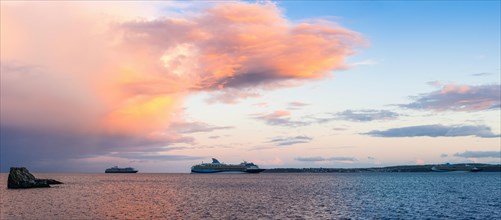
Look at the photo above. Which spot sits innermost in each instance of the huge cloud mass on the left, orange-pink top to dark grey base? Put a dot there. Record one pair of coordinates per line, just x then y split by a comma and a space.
95, 78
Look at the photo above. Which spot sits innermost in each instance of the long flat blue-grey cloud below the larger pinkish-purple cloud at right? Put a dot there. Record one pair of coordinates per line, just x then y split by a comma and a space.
436, 130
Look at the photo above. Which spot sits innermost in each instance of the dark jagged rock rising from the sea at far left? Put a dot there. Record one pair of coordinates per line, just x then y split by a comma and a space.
20, 177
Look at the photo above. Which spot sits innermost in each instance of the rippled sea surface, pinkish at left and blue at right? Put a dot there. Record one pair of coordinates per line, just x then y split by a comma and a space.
258, 196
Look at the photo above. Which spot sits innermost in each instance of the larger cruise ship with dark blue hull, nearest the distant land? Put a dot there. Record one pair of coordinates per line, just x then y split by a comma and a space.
218, 167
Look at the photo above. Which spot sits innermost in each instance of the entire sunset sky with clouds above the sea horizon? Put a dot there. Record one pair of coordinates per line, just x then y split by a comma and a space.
161, 86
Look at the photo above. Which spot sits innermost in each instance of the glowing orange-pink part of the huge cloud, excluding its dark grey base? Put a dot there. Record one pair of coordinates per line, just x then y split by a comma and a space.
128, 74
